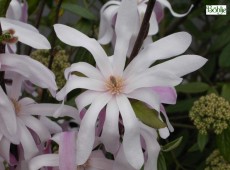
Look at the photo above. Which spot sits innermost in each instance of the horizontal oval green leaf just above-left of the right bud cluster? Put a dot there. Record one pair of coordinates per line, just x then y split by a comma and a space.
194, 87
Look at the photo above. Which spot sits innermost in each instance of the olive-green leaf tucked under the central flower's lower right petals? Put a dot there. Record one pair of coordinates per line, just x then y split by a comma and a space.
147, 116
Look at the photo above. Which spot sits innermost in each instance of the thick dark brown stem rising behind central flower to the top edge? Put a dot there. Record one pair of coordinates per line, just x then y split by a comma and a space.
143, 32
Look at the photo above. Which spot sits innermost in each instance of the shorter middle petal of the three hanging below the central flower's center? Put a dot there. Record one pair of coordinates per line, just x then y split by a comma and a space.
110, 134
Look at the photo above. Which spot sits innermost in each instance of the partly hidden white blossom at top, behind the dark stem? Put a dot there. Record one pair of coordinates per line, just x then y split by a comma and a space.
110, 9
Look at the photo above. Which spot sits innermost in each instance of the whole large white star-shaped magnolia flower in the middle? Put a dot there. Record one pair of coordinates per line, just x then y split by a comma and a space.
110, 85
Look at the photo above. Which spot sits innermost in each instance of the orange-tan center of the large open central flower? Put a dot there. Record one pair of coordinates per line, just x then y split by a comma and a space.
115, 85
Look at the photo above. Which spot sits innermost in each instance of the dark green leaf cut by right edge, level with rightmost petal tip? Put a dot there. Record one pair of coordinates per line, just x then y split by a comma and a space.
225, 57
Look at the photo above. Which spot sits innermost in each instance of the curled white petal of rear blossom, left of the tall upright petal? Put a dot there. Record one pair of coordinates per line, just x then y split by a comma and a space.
107, 13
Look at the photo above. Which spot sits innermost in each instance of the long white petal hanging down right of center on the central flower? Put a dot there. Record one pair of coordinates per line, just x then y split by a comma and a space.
131, 140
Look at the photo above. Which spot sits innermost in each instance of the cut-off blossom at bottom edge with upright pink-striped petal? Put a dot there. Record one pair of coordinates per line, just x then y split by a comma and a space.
66, 158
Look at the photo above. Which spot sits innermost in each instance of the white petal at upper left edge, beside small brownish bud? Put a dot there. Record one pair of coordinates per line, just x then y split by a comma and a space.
26, 33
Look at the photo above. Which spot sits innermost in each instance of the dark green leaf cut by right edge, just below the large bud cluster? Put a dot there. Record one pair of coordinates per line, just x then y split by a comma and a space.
223, 144
